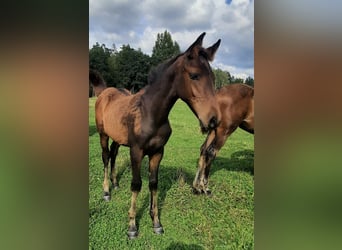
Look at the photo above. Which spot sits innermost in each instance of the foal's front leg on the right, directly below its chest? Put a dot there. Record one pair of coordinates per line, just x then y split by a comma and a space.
153, 185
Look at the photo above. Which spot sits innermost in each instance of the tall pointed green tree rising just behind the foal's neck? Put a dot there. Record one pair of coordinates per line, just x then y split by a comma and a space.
164, 48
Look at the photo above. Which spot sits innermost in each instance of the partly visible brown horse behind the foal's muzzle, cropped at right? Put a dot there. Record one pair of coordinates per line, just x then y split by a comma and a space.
236, 103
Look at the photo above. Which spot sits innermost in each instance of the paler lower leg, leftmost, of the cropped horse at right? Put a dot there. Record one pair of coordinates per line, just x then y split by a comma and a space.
196, 186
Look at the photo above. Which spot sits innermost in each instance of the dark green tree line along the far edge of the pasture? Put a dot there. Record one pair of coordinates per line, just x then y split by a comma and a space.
129, 68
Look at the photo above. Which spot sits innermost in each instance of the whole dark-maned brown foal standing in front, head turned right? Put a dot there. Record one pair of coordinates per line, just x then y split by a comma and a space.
140, 121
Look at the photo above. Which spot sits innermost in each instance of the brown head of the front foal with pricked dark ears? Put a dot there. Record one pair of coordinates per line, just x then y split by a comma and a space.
196, 83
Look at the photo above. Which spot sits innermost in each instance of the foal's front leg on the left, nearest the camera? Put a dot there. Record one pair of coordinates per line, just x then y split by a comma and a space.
136, 158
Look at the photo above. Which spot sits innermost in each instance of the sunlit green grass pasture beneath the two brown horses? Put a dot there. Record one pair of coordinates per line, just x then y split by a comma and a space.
223, 221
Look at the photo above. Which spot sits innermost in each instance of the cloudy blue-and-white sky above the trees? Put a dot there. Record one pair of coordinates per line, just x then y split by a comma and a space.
137, 23
